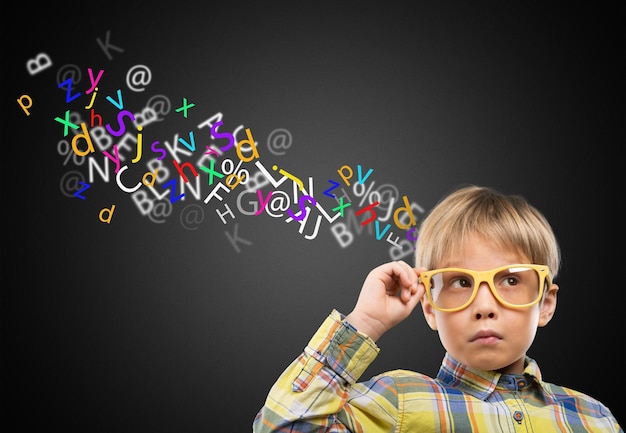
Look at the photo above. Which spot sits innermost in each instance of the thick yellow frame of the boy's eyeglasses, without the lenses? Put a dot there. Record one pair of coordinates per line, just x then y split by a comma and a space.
487, 277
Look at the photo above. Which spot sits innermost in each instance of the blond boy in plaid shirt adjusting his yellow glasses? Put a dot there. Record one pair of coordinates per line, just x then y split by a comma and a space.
485, 265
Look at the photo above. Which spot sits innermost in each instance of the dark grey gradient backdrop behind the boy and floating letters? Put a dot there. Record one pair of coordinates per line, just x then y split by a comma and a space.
153, 324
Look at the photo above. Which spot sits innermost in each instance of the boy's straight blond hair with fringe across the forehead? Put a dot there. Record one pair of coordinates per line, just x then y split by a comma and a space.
508, 220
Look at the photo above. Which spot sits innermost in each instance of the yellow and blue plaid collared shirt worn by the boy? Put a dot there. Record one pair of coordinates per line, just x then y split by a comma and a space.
319, 392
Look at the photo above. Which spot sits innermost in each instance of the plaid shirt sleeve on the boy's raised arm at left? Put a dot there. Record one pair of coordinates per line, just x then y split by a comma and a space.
314, 392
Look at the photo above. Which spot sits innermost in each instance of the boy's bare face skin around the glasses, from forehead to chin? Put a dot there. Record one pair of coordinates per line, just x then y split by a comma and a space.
487, 335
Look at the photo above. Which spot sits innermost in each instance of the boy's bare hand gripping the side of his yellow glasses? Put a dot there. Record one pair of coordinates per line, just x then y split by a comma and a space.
389, 294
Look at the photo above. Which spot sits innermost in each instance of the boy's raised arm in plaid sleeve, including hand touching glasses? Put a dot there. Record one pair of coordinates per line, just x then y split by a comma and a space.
313, 393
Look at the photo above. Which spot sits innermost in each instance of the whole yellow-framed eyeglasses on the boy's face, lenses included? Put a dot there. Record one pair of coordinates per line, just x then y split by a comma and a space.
514, 286
